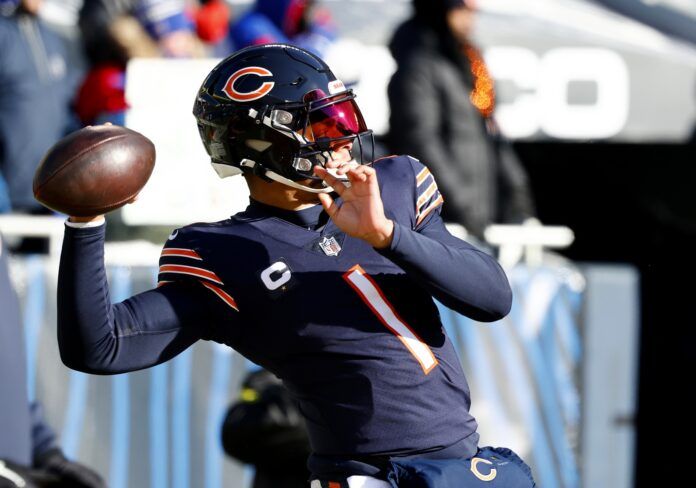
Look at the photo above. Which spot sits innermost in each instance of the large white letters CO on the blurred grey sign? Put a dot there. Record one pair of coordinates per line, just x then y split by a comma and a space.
542, 86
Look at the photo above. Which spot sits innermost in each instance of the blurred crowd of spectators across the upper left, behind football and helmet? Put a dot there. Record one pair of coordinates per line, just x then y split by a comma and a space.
44, 96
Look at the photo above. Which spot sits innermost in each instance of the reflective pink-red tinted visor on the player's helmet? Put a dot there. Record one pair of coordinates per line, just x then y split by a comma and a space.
335, 117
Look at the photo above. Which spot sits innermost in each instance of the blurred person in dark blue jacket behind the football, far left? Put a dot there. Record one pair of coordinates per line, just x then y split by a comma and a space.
35, 94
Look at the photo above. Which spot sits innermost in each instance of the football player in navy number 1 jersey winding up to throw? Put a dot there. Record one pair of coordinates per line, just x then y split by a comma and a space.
327, 279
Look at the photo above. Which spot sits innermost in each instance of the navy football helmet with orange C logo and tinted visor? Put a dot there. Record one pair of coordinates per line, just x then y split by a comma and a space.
277, 111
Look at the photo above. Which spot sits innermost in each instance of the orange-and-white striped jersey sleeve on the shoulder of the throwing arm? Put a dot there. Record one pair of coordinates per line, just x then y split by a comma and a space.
182, 261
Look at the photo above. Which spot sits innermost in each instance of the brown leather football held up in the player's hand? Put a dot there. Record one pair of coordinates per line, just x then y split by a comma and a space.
94, 170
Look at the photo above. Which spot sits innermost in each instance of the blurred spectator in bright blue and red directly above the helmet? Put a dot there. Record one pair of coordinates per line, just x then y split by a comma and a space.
296, 22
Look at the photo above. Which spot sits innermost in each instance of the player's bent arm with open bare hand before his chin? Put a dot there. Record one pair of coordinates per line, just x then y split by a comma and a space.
455, 272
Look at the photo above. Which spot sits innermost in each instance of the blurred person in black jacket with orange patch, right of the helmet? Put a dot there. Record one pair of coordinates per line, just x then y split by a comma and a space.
442, 99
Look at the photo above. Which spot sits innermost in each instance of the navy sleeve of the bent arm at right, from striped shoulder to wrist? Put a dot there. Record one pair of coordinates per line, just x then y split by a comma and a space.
453, 271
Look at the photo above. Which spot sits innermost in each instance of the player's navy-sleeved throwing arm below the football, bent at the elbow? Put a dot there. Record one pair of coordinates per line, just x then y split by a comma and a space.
96, 336
